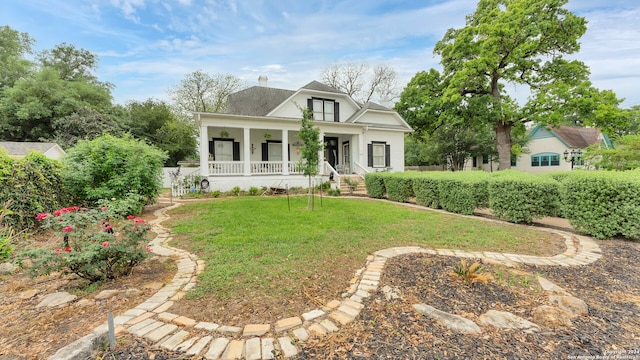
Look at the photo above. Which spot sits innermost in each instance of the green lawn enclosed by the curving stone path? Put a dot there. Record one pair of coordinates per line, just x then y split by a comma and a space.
257, 243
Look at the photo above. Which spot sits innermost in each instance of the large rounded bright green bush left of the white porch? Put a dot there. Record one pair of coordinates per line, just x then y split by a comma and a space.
109, 167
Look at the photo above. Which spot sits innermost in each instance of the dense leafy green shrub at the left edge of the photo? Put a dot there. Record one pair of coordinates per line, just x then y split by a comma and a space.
33, 184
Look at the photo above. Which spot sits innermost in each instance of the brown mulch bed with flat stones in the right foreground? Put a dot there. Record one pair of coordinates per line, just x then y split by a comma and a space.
393, 330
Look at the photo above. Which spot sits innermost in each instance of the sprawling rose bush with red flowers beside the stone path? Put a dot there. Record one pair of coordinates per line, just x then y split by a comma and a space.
93, 245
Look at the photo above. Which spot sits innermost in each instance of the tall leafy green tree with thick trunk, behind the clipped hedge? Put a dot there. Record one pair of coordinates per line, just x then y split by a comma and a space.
522, 42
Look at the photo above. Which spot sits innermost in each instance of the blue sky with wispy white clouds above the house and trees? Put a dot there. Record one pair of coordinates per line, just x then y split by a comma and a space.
146, 46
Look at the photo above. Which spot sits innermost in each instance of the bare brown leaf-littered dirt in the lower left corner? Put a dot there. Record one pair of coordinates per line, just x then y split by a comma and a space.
36, 333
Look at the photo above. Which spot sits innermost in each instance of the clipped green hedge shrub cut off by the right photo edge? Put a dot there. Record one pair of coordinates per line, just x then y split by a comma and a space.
603, 204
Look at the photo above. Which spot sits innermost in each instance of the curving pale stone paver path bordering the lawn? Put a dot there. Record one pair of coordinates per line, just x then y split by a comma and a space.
152, 319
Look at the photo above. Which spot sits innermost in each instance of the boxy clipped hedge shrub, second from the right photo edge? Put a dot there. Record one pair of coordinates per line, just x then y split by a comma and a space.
520, 197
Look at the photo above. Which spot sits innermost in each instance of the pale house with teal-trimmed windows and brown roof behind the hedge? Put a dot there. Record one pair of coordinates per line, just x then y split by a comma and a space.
547, 147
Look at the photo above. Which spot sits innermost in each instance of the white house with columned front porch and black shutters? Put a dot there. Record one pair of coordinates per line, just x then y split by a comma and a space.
256, 143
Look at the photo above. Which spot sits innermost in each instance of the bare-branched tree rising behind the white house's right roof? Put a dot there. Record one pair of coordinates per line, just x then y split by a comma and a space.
363, 83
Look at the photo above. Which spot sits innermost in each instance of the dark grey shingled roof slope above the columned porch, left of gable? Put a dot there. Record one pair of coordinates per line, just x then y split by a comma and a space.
256, 100
